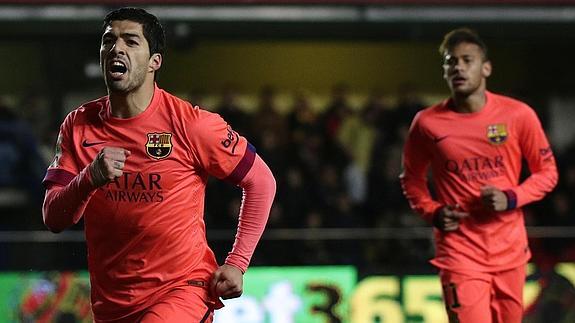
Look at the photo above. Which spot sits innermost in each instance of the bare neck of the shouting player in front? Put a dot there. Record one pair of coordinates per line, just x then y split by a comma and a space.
132, 103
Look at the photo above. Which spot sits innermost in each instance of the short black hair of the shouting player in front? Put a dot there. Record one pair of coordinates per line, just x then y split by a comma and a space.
151, 26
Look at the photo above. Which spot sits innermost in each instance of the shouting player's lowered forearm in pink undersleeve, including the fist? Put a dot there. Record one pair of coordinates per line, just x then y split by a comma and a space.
259, 188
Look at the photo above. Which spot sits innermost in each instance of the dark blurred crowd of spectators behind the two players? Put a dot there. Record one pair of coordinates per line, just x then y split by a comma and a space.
336, 167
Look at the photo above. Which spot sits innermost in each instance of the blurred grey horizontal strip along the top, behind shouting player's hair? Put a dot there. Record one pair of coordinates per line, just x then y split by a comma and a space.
303, 13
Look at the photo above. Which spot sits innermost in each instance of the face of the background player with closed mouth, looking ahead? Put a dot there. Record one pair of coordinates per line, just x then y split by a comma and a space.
465, 69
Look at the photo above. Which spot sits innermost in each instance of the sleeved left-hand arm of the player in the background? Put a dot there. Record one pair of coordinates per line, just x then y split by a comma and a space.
415, 164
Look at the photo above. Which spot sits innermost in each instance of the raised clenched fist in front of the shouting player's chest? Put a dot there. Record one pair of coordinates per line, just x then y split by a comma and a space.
108, 165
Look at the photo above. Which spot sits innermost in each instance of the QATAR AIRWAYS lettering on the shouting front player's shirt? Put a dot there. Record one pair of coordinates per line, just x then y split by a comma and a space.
135, 187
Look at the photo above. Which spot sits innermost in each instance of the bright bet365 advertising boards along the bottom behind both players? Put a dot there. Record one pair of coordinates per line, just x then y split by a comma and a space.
292, 294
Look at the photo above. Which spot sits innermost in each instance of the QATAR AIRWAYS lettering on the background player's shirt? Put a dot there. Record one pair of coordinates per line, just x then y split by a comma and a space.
478, 168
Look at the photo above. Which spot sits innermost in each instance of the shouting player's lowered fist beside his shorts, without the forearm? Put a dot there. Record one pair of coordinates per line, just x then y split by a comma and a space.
227, 282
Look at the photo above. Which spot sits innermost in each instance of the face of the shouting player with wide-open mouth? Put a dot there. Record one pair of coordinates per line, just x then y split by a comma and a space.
125, 57
